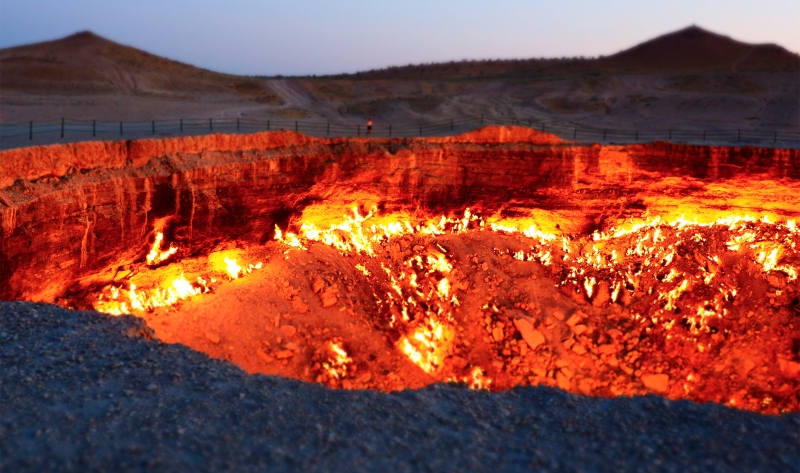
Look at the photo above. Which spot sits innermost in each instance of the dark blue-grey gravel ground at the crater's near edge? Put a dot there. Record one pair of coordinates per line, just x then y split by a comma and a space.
80, 391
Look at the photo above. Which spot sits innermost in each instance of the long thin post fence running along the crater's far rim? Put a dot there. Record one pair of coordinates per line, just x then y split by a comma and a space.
15, 135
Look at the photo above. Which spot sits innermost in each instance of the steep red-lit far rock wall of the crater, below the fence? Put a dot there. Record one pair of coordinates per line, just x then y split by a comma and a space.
73, 213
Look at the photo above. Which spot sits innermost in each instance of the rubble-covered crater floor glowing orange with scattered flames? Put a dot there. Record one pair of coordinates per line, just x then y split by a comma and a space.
706, 311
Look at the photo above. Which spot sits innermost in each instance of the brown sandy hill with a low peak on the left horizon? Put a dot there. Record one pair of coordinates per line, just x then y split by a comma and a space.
86, 63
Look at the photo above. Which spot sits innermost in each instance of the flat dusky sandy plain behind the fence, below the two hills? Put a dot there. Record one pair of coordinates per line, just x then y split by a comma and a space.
647, 102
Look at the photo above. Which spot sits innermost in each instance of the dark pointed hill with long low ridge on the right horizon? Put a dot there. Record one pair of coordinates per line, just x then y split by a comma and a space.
692, 49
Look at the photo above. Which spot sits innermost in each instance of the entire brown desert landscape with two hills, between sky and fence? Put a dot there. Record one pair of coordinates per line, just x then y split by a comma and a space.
688, 79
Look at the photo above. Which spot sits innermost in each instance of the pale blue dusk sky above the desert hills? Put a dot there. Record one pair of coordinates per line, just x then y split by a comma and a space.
320, 37
